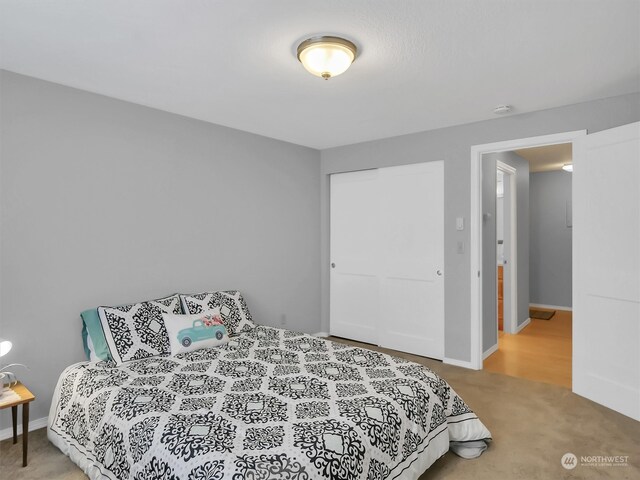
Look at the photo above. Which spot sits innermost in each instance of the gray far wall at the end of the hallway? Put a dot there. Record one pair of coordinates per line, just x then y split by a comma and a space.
550, 252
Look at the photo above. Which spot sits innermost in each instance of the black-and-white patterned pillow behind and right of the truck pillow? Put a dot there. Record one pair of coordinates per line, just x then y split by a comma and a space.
233, 308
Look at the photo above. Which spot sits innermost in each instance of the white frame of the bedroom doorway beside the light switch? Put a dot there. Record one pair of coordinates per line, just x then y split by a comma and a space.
475, 221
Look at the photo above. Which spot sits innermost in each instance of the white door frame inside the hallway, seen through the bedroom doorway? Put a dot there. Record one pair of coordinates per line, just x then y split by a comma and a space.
509, 171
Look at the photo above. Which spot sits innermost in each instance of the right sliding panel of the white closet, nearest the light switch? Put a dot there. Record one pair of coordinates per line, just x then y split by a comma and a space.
412, 259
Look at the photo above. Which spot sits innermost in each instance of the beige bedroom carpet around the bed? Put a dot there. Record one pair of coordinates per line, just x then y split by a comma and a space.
533, 425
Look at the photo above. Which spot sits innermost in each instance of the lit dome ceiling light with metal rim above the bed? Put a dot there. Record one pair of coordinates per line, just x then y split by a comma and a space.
326, 56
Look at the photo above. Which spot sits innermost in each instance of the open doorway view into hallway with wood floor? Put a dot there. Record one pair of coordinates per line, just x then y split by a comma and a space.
526, 257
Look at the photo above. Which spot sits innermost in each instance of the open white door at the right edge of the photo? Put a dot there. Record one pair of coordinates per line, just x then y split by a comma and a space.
606, 268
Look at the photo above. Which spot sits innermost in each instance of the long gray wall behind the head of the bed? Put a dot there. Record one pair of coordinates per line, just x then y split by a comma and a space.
106, 202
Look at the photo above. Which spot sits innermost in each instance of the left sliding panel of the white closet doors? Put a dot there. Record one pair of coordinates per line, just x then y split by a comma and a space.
354, 294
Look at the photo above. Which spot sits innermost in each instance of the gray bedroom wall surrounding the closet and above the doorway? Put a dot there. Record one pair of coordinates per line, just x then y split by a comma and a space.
453, 145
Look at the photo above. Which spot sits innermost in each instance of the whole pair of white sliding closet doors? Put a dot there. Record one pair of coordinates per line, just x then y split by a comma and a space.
386, 276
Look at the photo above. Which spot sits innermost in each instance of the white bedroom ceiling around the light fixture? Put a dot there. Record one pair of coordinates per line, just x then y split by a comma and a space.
424, 64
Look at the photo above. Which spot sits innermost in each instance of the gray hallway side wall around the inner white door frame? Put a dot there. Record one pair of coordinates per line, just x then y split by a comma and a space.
489, 242
